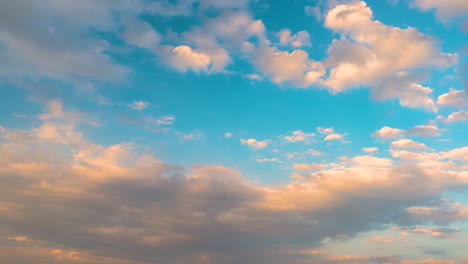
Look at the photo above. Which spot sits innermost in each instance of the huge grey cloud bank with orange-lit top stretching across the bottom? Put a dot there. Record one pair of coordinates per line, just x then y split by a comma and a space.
116, 205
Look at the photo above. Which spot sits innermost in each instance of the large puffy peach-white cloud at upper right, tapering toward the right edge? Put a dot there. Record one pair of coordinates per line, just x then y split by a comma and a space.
369, 53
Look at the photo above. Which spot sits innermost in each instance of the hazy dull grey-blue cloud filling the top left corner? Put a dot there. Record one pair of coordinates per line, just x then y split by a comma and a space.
63, 32
